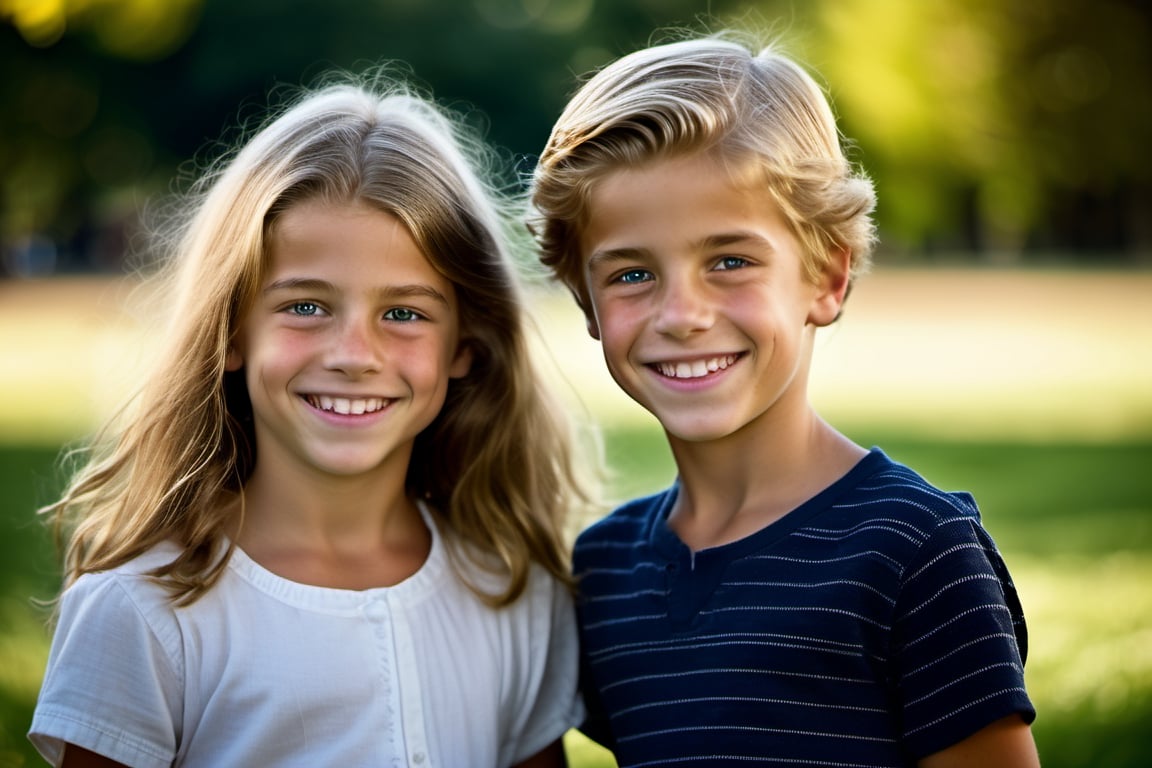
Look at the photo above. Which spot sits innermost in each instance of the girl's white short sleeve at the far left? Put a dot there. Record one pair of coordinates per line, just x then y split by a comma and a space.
112, 687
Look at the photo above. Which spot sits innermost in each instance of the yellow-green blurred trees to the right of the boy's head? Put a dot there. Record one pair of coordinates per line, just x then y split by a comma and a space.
999, 127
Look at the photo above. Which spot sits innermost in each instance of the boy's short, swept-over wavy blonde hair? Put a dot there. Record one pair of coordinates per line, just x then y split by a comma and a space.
760, 113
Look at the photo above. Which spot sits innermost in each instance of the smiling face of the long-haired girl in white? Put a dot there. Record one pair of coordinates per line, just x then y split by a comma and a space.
350, 345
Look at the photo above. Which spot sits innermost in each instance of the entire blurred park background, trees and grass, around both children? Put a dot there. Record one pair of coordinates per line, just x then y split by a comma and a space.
1003, 345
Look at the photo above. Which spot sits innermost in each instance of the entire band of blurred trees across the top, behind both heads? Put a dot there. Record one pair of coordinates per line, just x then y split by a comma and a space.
988, 126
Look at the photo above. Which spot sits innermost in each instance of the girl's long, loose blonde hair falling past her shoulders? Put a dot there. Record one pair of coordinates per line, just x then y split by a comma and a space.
498, 466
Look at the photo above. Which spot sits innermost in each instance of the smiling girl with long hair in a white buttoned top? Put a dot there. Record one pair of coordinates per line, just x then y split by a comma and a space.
331, 531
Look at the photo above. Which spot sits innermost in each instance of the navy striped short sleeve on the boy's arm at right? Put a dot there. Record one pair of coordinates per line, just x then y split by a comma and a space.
960, 640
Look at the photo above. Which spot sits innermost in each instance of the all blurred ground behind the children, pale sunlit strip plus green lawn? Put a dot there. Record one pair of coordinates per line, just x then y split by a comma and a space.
1032, 391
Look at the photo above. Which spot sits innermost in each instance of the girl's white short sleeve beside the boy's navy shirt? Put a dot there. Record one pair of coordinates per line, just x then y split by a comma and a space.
554, 705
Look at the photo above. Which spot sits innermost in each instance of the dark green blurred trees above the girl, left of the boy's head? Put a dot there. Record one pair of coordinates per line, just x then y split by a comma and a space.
102, 101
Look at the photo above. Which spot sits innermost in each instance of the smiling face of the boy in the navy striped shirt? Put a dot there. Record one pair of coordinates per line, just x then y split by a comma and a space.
700, 298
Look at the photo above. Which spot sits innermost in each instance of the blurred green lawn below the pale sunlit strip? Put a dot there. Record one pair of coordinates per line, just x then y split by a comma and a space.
1074, 521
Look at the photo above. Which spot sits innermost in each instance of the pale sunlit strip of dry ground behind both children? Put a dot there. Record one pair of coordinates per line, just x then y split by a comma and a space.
951, 354
